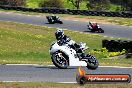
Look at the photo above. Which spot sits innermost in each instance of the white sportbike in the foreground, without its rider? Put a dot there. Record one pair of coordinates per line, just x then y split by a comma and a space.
63, 56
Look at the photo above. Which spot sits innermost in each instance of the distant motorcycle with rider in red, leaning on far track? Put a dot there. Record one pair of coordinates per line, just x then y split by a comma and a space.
95, 28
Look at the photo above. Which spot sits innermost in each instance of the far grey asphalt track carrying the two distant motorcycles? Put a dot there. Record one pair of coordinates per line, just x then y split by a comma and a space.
110, 30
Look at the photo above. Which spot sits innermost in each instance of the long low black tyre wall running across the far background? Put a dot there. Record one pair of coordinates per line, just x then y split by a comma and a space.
68, 11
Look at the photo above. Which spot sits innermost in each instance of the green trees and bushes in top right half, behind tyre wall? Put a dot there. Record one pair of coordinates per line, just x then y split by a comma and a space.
126, 5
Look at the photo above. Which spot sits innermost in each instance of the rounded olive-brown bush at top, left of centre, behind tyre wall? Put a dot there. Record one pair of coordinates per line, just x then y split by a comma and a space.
52, 3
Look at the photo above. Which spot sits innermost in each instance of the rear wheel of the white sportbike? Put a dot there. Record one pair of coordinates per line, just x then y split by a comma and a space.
92, 62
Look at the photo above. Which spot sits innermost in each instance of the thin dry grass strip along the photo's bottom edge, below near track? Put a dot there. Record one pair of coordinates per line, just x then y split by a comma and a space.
60, 85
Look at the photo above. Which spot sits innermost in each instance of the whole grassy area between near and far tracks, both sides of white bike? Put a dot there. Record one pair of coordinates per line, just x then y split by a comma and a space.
29, 44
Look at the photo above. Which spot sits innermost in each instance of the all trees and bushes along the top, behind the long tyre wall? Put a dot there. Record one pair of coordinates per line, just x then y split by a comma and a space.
126, 5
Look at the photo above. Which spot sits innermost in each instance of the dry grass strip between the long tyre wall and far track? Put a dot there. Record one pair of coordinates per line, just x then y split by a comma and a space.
101, 19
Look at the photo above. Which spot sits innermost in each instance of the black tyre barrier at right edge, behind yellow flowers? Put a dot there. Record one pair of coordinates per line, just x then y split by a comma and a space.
118, 46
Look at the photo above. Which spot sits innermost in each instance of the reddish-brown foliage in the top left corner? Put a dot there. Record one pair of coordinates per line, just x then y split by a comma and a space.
13, 2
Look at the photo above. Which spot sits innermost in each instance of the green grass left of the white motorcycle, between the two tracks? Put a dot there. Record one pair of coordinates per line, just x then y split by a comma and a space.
24, 42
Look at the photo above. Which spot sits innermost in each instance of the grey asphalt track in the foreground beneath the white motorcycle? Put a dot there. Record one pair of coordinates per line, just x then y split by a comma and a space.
36, 73
